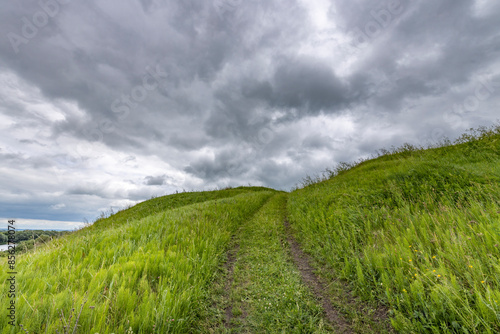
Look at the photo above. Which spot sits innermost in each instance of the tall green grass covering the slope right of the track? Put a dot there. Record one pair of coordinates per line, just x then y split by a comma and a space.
417, 230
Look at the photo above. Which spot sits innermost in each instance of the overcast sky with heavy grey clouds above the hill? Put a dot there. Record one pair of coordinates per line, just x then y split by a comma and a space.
104, 103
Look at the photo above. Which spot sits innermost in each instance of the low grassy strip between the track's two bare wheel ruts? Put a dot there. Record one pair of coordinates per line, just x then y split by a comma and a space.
266, 292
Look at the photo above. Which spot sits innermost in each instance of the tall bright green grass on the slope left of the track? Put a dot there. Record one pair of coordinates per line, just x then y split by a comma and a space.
148, 275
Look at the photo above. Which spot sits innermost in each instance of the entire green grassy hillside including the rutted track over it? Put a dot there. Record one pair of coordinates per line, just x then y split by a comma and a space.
407, 242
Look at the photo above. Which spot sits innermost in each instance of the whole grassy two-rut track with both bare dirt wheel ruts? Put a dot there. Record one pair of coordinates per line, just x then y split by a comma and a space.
270, 285
